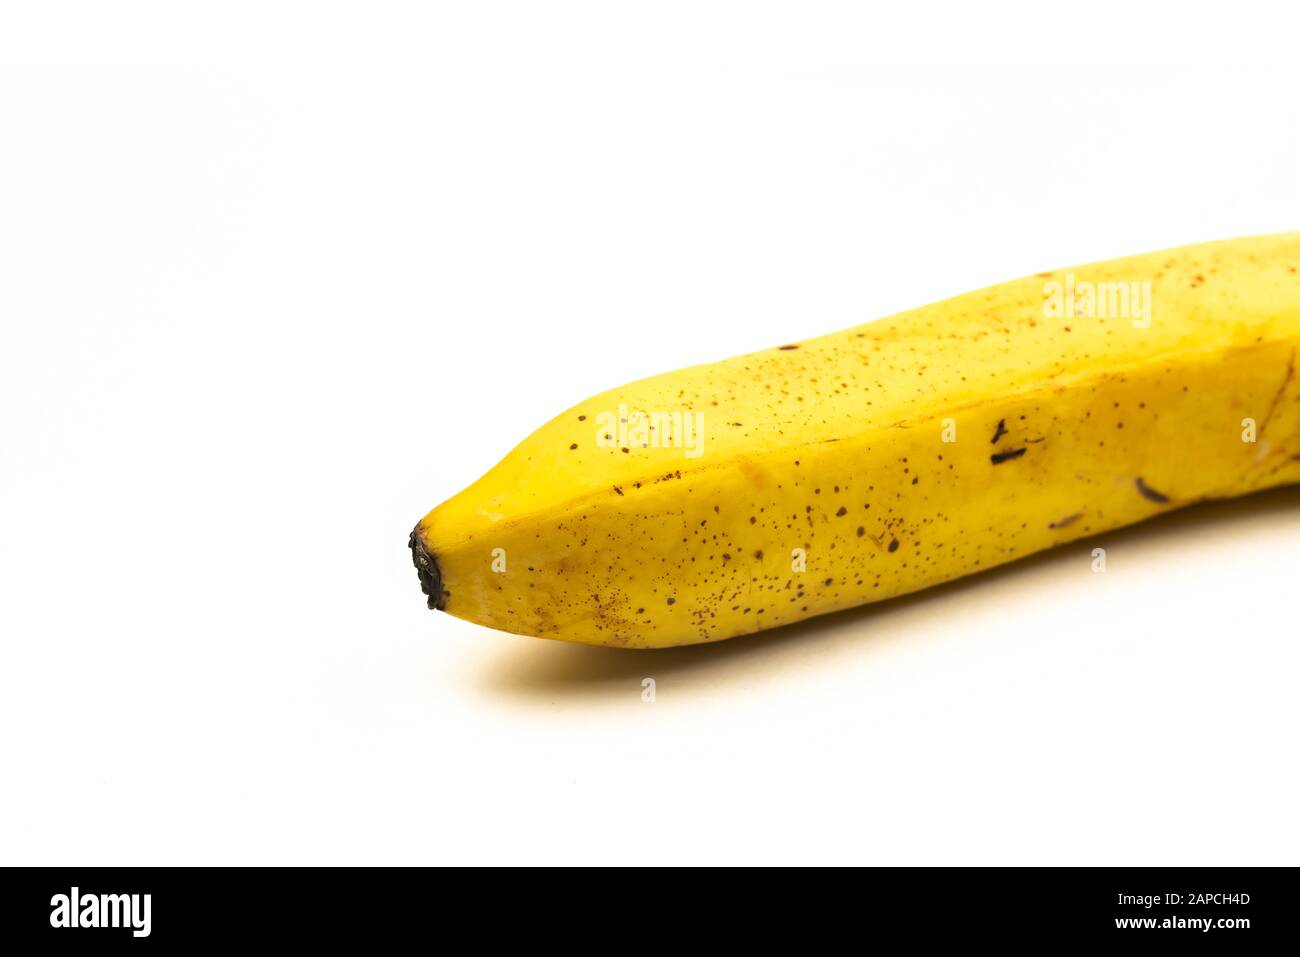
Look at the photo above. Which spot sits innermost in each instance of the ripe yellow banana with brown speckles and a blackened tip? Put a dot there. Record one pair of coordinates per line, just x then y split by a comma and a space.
730, 499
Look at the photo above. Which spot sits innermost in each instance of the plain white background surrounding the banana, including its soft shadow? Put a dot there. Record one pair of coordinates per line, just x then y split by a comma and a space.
278, 279
